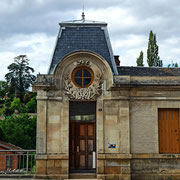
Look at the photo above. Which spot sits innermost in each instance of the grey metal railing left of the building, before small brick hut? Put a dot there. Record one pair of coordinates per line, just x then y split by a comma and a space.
17, 161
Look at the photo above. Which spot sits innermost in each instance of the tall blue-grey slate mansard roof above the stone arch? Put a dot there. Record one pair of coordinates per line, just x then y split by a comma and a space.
83, 36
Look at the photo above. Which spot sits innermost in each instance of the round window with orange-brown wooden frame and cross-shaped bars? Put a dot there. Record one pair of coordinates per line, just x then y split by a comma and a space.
82, 77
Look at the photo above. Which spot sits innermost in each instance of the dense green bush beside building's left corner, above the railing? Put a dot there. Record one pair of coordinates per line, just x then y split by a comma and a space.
20, 130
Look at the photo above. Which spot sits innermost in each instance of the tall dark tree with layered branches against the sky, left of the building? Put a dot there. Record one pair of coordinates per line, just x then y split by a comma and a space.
20, 75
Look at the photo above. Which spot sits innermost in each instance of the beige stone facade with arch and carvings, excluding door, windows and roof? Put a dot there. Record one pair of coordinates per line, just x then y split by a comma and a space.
126, 115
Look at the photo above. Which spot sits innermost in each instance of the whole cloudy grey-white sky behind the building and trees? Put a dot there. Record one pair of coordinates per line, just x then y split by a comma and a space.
30, 27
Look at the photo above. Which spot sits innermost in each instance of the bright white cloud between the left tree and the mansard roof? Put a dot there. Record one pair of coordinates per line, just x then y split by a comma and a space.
38, 48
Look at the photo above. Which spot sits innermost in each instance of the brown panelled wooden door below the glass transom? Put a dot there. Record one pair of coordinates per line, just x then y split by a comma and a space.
82, 143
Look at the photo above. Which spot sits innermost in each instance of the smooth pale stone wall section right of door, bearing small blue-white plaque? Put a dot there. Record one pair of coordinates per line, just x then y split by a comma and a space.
116, 126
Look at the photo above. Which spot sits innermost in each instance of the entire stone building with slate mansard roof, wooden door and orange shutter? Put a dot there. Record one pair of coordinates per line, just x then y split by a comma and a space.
100, 120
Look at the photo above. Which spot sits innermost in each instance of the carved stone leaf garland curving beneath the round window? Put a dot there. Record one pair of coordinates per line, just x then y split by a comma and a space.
89, 93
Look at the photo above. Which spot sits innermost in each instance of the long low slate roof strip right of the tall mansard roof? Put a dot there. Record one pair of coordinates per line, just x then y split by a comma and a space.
148, 71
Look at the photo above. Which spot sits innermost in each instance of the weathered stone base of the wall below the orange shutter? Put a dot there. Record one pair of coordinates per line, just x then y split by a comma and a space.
155, 167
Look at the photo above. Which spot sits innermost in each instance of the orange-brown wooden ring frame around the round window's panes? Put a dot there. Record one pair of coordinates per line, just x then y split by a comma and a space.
77, 69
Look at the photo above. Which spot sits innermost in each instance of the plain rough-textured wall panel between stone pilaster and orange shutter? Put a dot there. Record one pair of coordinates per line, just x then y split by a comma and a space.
144, 128
